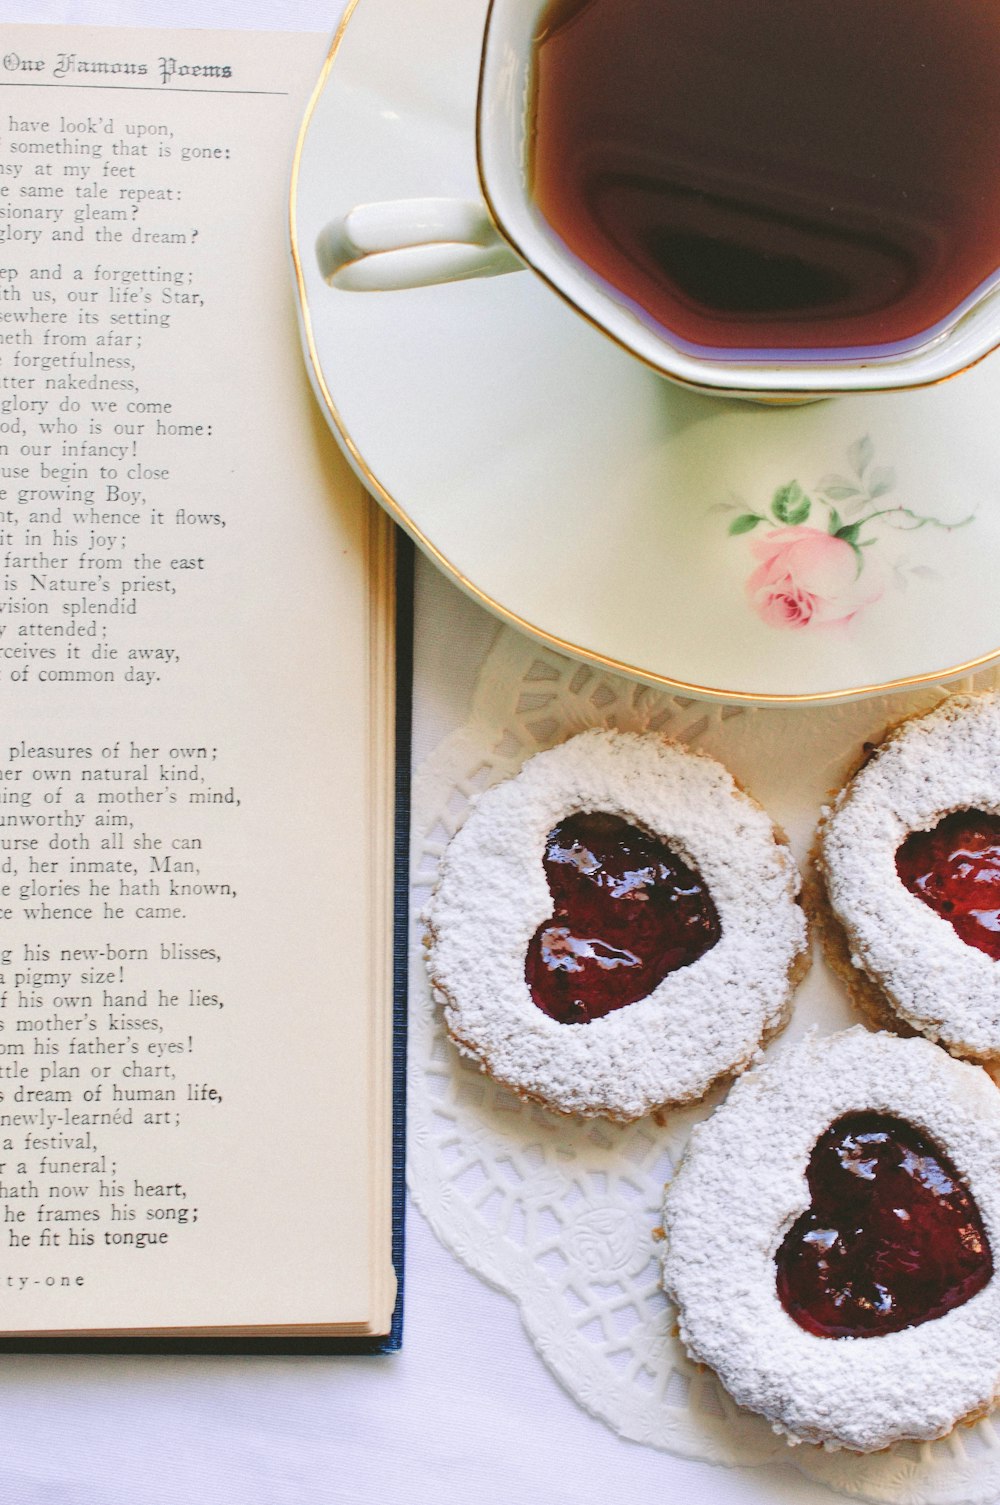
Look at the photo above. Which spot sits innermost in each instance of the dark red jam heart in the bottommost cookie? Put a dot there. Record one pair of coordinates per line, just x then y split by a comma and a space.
892, 1238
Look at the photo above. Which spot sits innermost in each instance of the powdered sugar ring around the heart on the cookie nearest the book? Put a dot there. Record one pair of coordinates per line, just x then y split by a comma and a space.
704, 1021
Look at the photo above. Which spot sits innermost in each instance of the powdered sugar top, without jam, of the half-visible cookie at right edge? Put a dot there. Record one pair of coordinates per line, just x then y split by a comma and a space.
931, 767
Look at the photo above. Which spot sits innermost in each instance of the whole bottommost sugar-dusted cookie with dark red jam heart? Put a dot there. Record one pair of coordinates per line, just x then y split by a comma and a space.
829, 1242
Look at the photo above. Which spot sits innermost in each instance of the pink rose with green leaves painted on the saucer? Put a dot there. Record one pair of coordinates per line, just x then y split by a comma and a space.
814, 562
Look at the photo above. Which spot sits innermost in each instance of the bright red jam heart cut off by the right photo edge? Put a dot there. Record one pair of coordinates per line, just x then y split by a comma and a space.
956, 869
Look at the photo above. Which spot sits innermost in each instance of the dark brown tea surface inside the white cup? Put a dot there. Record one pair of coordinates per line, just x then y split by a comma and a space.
775, 175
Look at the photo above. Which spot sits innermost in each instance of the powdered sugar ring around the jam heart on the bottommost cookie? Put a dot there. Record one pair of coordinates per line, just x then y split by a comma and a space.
742, 1187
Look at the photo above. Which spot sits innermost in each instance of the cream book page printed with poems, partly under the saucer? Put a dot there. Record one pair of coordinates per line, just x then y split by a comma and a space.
186, 1089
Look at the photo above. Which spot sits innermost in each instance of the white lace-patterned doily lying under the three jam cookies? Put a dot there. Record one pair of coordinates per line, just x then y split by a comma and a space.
559, 1214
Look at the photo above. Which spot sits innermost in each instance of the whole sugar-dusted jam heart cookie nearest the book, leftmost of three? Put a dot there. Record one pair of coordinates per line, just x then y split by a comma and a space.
617, 928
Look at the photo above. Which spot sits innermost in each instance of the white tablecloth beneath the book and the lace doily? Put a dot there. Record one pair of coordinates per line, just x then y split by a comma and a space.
466, 1412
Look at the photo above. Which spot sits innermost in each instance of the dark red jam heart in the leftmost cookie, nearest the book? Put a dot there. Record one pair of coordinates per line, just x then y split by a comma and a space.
626, 911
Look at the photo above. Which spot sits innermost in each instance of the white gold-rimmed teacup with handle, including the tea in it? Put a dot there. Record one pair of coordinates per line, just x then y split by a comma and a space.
764, 199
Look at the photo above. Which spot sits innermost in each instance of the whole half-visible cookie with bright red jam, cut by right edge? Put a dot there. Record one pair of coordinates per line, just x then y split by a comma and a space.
910, 856
